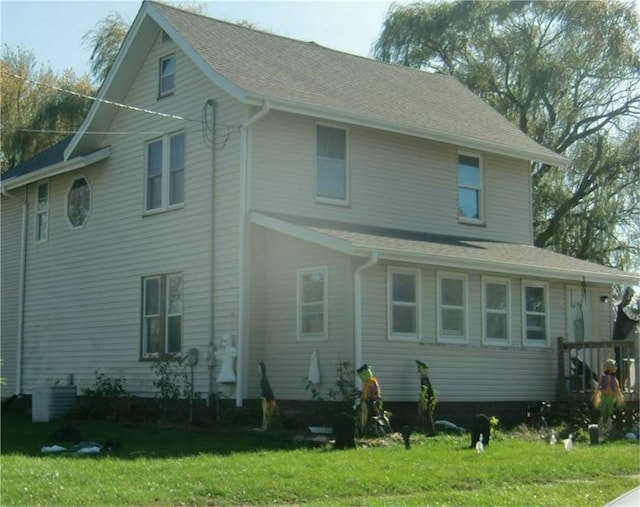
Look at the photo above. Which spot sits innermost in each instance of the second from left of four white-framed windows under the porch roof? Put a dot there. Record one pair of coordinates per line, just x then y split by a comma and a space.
452, 307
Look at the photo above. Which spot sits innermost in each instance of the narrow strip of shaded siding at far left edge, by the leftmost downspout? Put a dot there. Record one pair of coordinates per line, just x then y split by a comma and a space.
10, 248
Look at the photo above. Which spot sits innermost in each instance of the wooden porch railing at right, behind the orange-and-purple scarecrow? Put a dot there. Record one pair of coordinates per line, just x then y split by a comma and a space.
580, 365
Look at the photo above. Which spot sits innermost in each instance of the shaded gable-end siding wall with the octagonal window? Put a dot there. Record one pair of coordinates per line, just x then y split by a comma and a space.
83, 287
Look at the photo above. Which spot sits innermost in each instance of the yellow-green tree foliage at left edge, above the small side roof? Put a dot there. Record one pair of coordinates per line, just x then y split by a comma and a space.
36, 107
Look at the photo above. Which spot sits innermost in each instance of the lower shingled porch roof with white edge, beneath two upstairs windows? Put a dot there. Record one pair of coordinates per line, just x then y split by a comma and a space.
442, 251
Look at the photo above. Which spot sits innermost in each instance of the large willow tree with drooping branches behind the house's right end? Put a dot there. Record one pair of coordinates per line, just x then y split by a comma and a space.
568, 75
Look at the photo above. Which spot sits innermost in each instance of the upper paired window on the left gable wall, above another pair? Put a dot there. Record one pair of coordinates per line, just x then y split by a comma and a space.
164, 173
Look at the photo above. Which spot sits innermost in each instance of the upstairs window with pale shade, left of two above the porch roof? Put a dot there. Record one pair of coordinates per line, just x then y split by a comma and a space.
331, 164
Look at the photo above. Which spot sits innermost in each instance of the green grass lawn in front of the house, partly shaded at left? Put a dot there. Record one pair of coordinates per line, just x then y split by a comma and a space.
183, 466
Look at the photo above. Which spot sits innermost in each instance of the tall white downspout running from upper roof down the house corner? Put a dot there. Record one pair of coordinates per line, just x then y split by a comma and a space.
243, 296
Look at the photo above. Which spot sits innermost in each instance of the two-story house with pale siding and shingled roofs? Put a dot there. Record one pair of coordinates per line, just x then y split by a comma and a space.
299, 201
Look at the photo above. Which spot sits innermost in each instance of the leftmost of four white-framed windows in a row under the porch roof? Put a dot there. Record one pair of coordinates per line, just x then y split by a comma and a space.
403, 303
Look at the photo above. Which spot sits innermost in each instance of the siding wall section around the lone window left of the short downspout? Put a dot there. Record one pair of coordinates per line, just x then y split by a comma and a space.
274, 315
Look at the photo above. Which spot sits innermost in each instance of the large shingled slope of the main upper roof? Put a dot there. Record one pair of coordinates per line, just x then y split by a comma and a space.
292, 72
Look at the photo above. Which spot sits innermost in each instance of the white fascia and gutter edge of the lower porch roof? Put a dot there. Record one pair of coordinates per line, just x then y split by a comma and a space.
461, 260
